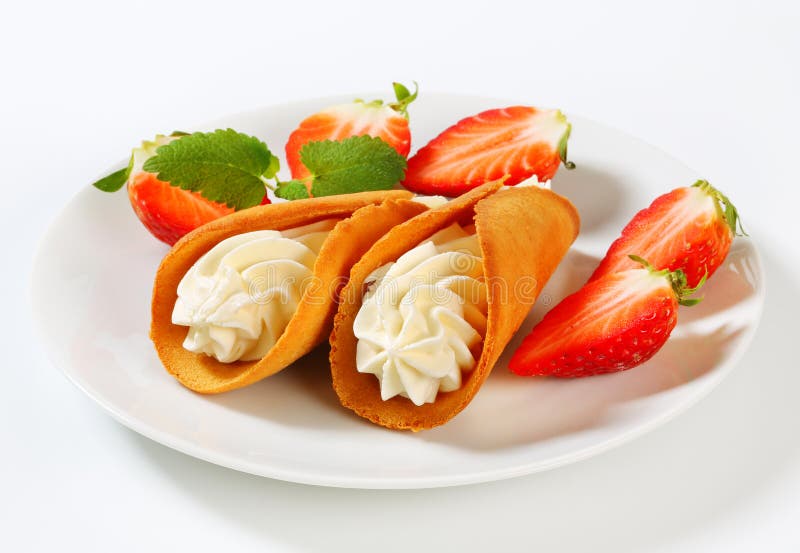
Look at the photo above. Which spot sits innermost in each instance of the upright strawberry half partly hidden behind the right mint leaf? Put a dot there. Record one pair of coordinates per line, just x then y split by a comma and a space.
386, 121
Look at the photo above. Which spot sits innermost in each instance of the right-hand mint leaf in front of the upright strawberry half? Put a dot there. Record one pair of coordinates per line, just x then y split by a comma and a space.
355, 164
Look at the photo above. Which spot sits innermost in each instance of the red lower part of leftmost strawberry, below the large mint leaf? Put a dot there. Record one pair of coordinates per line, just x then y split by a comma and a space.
167, 211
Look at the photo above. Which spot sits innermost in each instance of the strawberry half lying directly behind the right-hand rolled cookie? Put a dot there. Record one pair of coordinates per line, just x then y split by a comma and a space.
515, 142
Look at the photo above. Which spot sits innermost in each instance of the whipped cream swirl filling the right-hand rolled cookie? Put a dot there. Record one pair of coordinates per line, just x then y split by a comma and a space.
423, 317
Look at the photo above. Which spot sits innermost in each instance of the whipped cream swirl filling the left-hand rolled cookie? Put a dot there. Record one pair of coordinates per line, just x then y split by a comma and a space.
238, 298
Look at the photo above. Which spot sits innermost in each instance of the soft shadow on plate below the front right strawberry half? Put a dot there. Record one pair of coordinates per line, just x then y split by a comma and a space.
511, 410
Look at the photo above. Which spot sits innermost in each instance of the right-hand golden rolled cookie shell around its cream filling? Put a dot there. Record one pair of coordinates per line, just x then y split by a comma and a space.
523, 233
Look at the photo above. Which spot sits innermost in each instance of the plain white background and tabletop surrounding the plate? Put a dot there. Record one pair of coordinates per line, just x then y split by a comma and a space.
715, 84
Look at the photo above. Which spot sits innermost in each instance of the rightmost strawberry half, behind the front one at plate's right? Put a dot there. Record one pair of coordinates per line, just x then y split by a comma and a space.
690, 228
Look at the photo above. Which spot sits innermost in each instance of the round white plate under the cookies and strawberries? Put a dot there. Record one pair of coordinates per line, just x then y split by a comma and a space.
91, 293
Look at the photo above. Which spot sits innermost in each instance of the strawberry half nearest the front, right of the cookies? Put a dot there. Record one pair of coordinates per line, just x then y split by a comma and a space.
611, 324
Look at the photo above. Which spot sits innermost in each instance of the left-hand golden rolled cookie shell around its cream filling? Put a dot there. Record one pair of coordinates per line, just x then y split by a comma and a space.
363, 219
